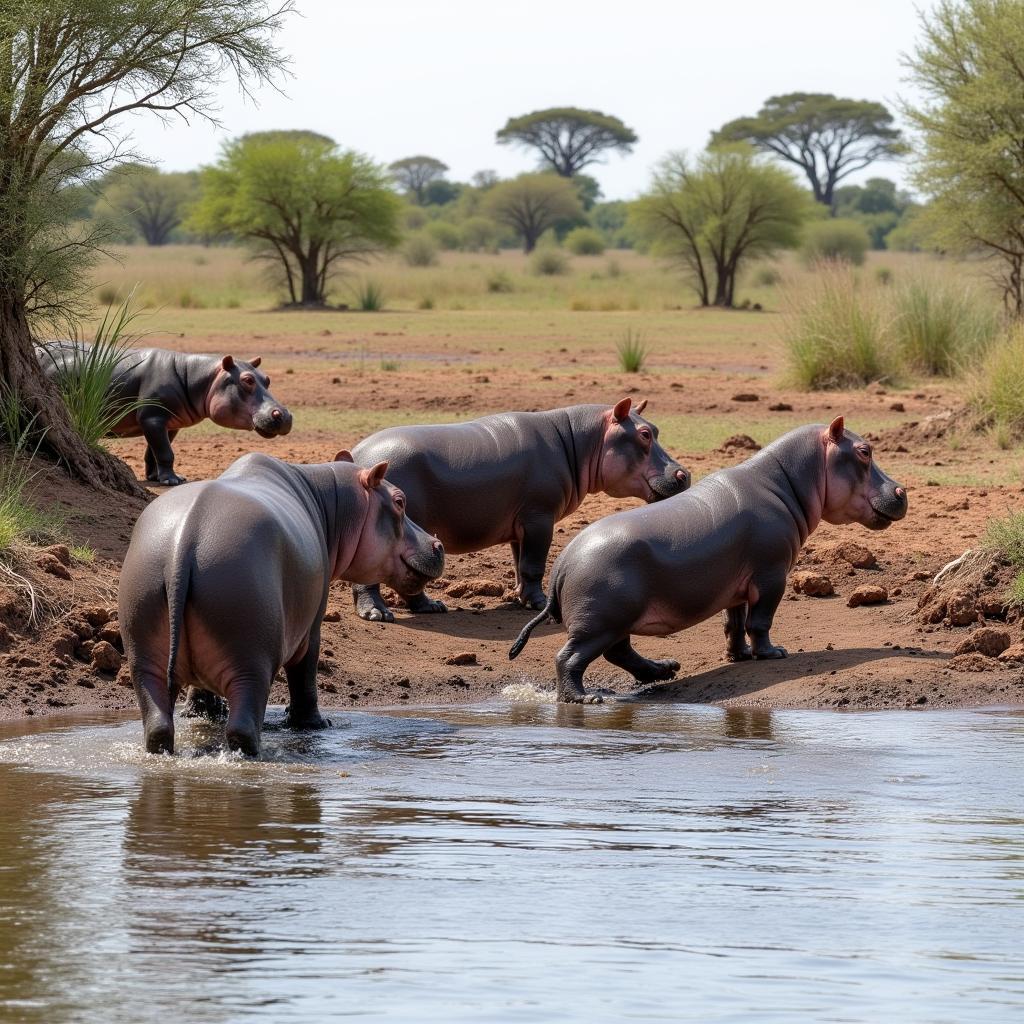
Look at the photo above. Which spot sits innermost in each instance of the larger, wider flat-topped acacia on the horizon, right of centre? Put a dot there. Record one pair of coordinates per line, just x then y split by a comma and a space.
827, 137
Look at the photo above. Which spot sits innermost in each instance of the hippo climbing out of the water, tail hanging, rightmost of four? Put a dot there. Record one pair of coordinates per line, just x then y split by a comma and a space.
727, 545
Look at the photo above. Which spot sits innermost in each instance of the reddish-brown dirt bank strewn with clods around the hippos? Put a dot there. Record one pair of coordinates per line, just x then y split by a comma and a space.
877, 656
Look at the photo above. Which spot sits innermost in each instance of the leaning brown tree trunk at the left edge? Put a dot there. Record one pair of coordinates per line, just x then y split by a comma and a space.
20, 370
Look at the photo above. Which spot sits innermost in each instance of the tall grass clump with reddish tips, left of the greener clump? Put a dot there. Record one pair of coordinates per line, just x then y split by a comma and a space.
838, 336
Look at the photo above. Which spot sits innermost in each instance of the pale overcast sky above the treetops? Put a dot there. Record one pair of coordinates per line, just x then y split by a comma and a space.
394, 78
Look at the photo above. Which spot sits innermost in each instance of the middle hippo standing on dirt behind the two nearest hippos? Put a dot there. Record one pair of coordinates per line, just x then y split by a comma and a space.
509, 479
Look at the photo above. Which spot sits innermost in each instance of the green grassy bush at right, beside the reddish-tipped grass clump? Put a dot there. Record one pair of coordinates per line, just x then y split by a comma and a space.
942, 328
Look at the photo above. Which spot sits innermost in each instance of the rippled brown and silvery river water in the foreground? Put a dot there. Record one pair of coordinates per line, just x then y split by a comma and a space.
519, 863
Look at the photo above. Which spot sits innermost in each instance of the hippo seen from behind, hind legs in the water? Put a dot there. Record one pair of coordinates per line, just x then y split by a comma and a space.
226, 582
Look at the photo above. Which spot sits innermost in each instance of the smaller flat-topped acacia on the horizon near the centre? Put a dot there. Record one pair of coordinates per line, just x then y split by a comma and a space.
569, 140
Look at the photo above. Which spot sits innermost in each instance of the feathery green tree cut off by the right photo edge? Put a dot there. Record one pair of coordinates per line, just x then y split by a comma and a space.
971, 126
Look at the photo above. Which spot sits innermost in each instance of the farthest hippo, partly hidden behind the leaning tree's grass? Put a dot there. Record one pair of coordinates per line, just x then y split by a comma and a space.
185, 391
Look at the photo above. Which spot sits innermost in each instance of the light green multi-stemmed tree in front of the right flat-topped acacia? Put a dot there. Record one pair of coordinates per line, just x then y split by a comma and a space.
713, 215
